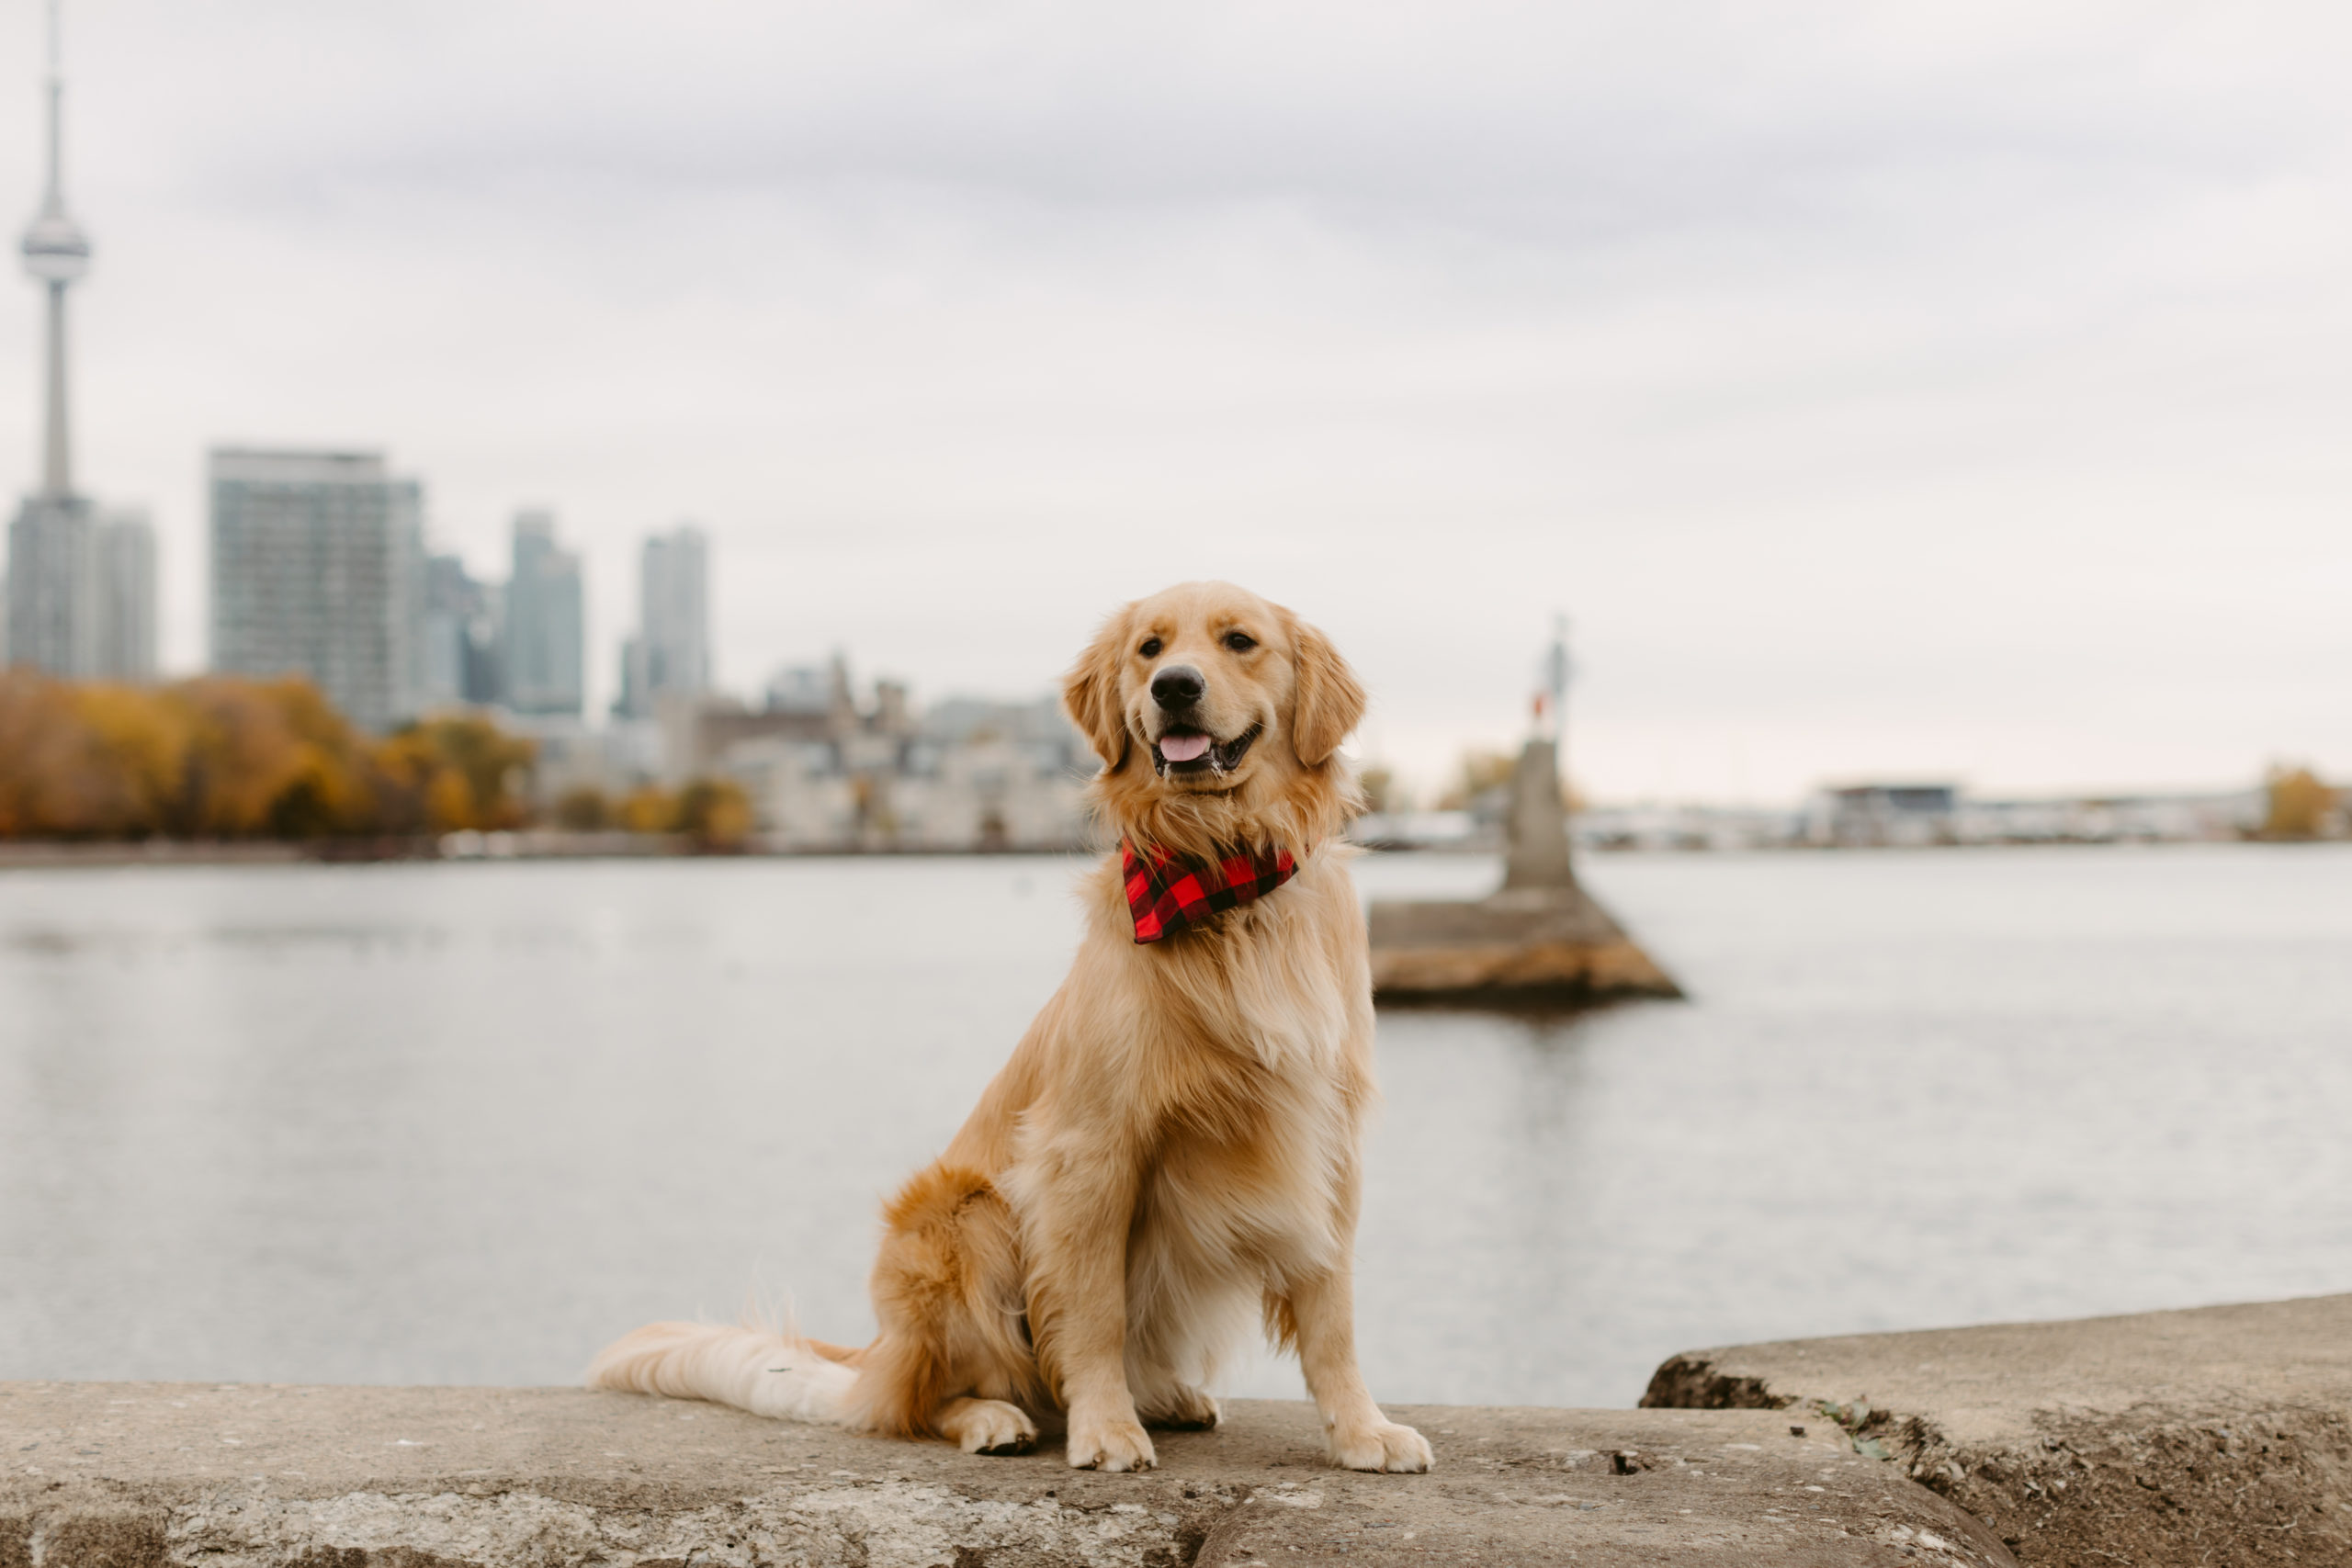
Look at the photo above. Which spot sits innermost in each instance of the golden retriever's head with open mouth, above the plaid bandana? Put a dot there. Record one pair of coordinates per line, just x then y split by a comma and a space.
1217, 718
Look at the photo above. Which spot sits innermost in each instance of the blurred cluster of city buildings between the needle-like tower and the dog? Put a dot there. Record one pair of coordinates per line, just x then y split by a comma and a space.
321, 570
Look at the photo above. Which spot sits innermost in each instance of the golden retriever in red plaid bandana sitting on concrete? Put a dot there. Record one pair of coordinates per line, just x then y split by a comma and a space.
1172, 1153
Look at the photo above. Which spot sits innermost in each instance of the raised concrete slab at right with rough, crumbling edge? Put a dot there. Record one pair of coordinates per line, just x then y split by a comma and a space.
2217, 1438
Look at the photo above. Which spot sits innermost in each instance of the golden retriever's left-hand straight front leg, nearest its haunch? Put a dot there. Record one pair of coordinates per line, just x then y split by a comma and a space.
1078, 1308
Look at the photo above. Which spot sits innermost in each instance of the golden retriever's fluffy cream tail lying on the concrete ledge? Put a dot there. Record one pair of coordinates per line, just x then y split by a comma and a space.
751, 1369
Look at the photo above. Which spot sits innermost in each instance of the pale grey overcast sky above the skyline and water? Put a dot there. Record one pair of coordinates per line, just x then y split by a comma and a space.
1883, 391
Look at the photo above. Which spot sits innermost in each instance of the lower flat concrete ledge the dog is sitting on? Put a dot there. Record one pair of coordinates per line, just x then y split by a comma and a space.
345, 1477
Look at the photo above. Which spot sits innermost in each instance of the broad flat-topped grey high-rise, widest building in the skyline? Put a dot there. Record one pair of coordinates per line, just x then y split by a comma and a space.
319, 570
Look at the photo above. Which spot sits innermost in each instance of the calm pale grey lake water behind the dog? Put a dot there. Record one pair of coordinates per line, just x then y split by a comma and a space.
467, 1123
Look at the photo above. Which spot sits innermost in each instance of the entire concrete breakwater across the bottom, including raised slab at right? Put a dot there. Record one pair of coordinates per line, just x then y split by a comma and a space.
2184, 1438
